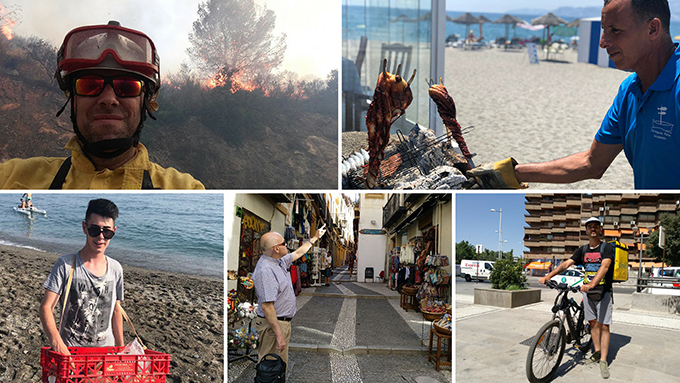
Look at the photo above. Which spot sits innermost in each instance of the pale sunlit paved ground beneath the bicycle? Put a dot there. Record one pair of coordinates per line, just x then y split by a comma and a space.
492, 343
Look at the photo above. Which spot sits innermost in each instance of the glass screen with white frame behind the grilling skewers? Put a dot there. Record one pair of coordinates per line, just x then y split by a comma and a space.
406, 32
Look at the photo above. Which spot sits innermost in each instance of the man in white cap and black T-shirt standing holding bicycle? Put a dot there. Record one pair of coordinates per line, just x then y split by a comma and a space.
596, 258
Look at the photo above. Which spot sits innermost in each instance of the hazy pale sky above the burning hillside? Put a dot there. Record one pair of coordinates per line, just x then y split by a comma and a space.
313, 35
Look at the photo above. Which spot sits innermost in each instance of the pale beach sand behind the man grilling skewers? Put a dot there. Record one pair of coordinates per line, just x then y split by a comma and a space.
531, 112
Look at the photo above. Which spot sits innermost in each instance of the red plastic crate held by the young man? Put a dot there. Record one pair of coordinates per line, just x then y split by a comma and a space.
102, 365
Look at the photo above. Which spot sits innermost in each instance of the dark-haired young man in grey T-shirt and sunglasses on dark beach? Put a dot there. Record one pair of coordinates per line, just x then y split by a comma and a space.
89, 286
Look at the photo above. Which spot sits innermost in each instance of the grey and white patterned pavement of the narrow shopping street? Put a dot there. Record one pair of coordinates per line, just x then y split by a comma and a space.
354, 332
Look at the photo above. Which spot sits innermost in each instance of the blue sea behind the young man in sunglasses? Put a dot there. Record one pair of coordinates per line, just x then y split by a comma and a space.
180, 232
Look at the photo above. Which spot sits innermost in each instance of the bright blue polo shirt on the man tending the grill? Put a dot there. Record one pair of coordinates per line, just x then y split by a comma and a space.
648, 126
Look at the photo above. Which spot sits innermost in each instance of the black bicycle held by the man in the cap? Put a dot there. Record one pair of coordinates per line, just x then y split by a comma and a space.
547, 347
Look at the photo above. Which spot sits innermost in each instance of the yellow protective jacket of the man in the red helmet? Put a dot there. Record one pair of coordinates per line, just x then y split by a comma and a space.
39, 172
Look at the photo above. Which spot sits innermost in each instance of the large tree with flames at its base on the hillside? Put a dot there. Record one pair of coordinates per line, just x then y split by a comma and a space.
235, 38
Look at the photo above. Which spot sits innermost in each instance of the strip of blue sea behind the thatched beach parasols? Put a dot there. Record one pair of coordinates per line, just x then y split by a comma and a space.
383, 24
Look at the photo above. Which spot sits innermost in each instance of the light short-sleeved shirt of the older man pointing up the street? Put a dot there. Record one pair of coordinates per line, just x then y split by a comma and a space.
273, 284
